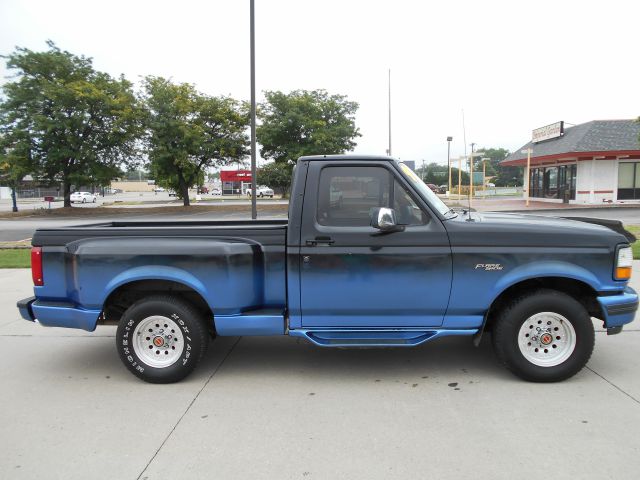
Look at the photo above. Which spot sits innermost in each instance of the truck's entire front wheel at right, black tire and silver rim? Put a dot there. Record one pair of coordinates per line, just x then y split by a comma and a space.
544, 336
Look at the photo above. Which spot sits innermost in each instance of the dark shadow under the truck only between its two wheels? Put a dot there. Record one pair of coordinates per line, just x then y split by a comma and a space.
288, 357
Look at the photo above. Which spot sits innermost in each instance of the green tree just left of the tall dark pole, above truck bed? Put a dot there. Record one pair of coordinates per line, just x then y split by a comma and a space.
189, 132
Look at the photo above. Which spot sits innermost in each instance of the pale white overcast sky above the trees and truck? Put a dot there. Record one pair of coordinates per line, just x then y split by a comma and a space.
510, 66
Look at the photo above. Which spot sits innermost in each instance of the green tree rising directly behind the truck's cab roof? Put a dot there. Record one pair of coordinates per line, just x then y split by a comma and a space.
305, 123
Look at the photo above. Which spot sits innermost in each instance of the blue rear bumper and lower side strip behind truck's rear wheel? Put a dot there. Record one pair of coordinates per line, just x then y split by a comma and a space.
57, 314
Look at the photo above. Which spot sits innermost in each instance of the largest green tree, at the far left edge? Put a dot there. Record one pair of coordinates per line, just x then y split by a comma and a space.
76, 126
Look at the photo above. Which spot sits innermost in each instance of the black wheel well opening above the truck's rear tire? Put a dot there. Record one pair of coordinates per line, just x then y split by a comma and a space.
128, 293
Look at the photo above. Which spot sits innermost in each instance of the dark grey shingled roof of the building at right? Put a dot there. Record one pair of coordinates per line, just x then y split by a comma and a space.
594, 136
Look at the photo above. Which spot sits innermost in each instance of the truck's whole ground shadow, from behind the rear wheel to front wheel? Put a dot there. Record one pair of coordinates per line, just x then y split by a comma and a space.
286, 358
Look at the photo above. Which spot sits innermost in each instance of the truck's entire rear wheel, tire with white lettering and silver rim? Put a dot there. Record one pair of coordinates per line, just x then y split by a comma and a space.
161, 339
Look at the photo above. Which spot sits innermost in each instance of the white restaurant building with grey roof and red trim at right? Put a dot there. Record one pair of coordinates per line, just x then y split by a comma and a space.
594, 162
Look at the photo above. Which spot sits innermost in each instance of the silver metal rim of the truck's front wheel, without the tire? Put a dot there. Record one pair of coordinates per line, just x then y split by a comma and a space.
547, 339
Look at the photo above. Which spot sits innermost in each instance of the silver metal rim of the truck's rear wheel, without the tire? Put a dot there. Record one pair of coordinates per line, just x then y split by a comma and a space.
158, 341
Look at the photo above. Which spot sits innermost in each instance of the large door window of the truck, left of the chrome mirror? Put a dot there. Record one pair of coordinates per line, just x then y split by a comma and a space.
347, 195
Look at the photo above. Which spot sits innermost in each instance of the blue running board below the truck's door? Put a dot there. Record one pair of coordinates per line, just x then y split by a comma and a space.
374, 338
